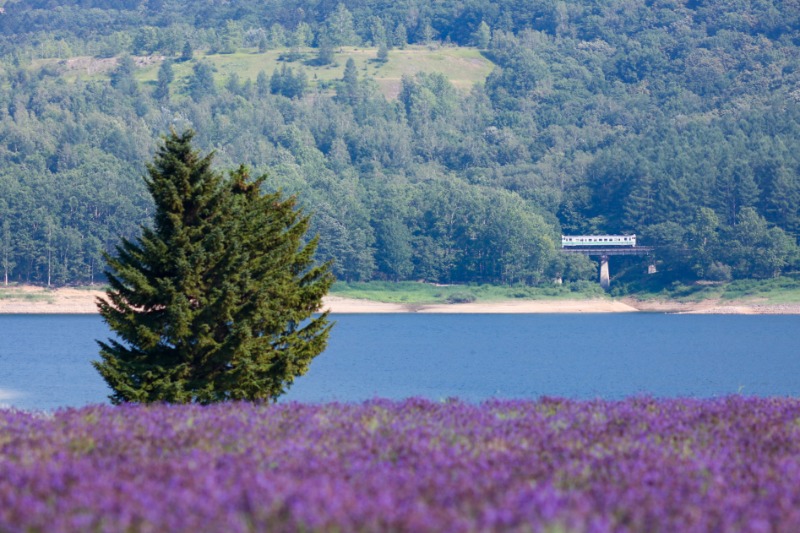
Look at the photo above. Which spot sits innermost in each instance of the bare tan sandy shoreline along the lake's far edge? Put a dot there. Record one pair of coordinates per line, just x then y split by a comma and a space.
37, 300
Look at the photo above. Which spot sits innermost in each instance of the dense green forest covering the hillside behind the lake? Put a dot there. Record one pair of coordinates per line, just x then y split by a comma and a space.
677, 120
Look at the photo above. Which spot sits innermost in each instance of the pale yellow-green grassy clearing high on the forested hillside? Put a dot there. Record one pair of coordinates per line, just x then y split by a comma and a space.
463, 66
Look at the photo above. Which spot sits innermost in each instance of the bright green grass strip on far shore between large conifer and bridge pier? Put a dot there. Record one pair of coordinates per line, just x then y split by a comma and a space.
410, 292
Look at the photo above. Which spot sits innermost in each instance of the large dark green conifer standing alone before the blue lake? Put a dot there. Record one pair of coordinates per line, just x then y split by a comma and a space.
216, 301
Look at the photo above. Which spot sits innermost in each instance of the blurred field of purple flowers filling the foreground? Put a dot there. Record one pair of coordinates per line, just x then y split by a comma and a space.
639, 465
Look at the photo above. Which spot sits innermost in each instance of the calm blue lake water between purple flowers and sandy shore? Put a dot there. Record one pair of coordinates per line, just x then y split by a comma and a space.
45, 359
